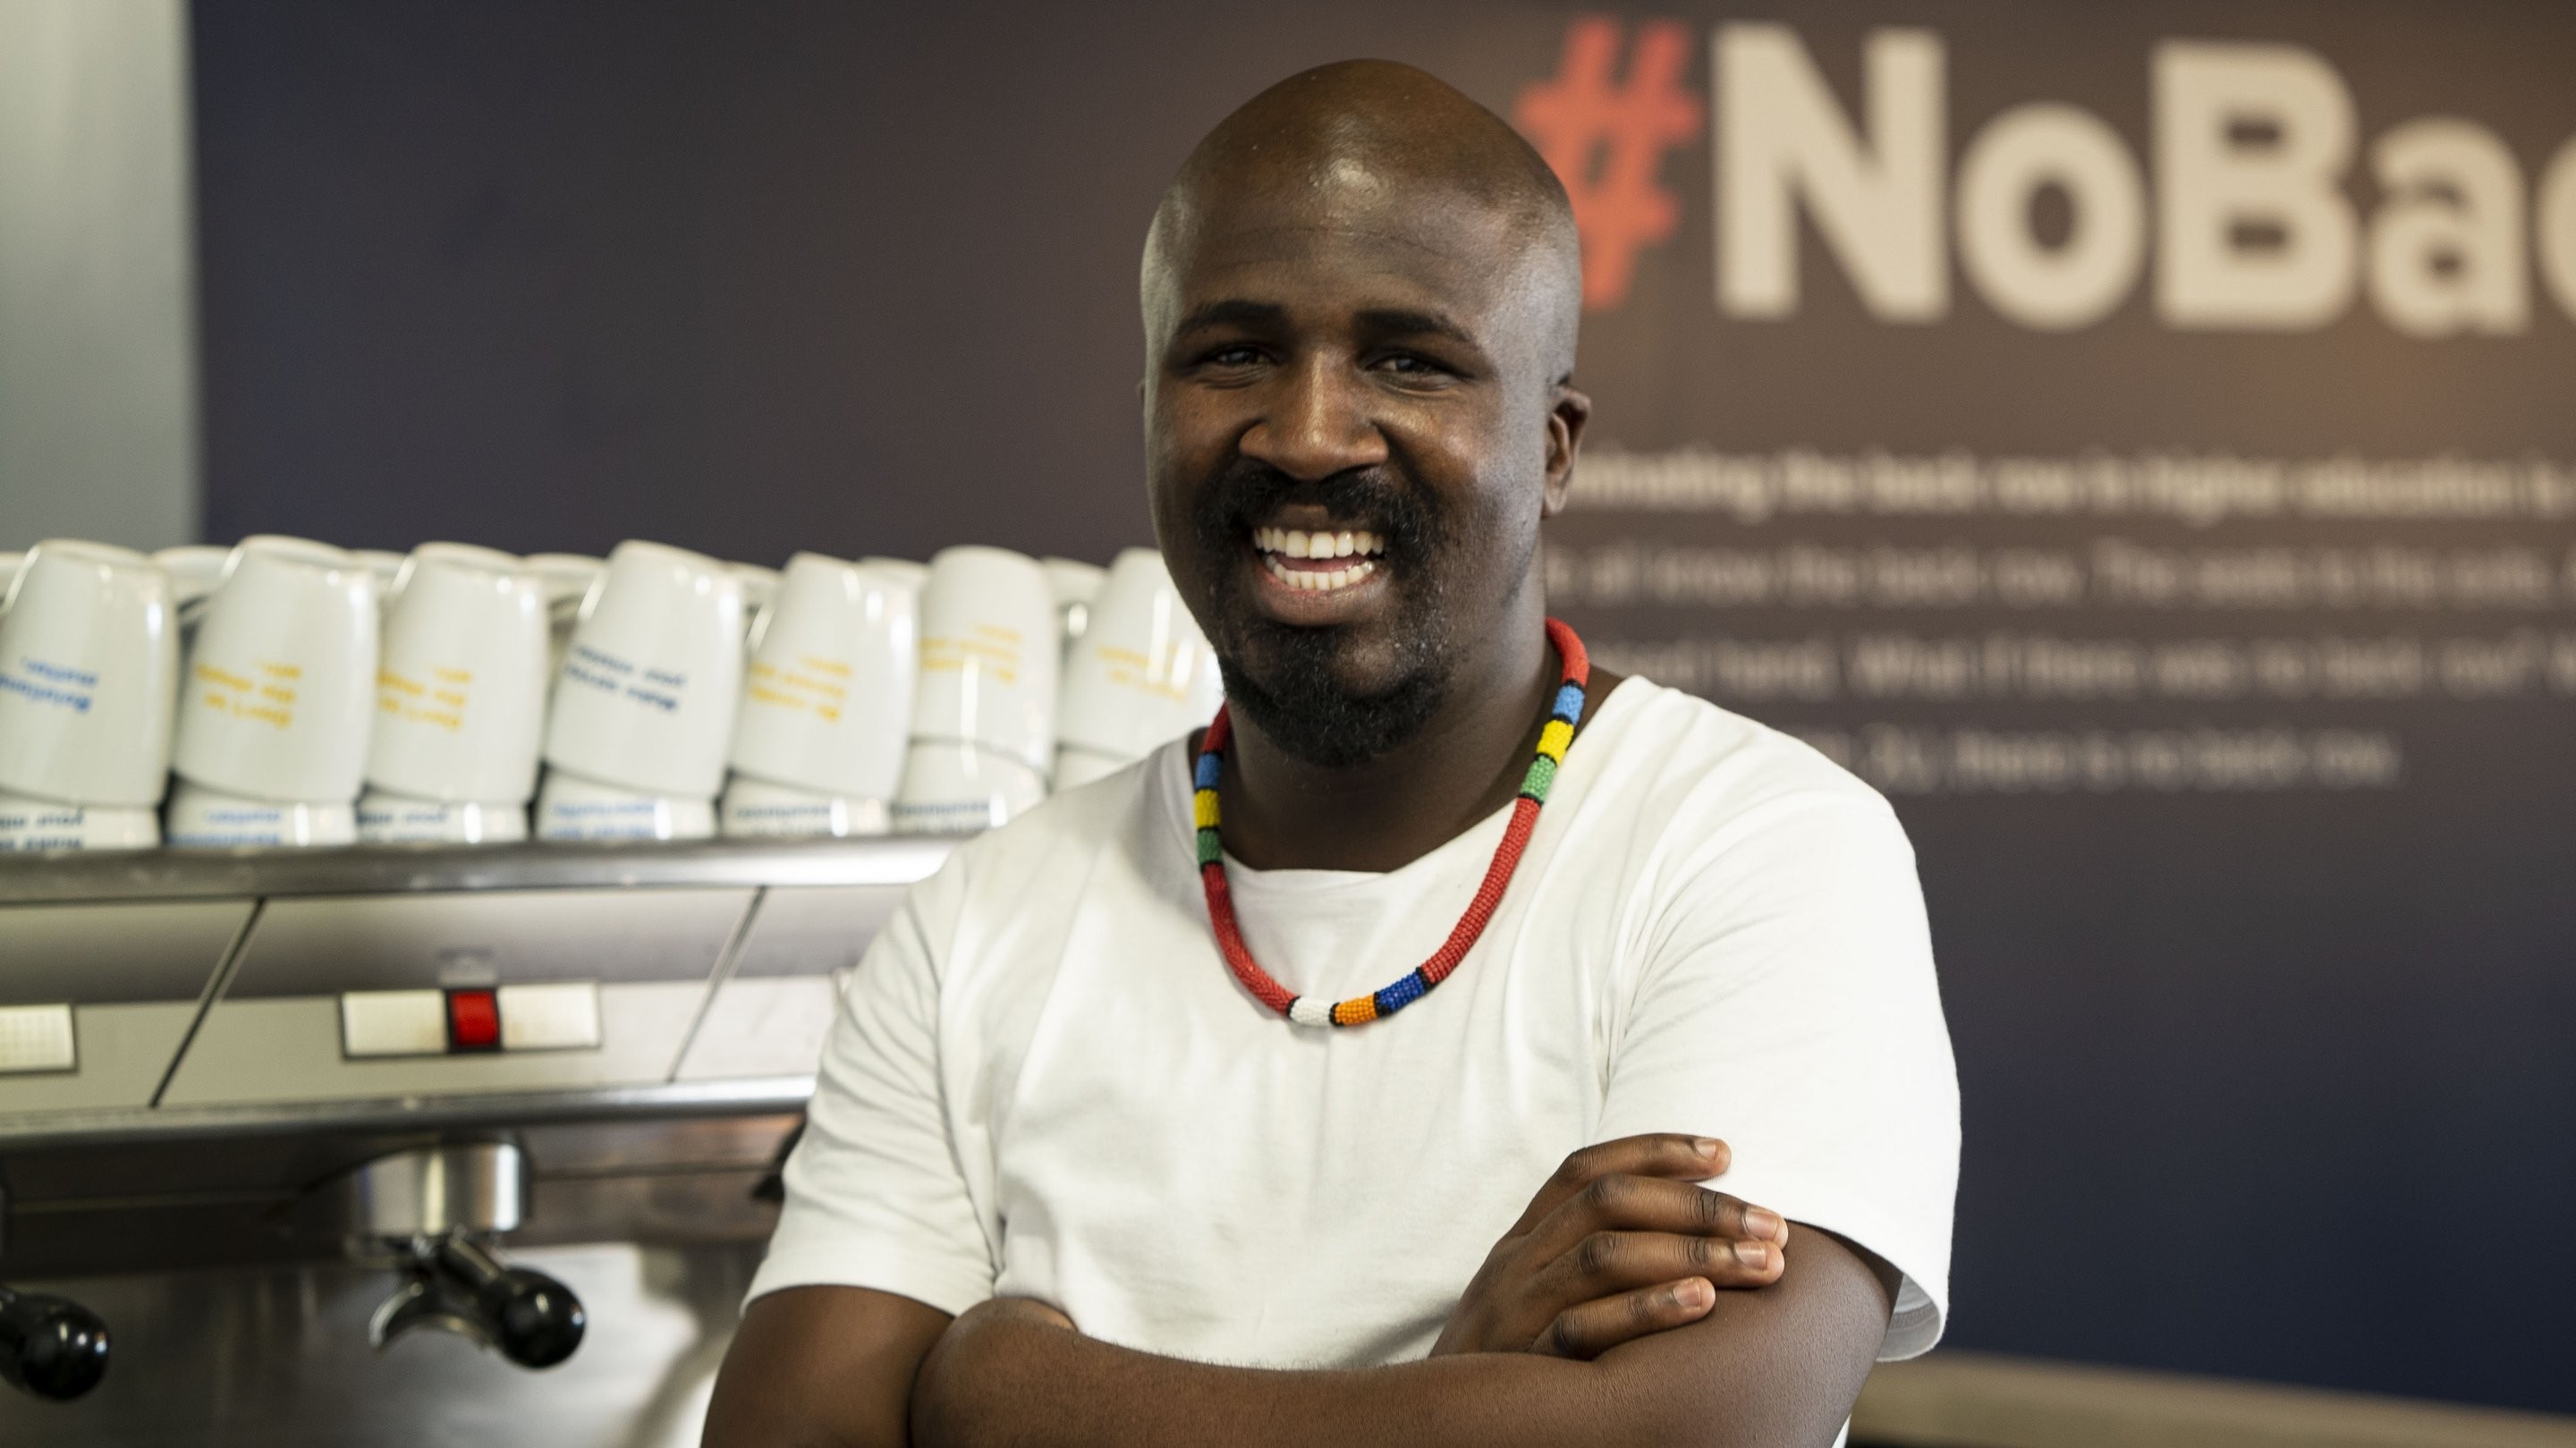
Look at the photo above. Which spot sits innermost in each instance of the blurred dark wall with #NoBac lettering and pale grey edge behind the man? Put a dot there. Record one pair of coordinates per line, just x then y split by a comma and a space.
2137, 437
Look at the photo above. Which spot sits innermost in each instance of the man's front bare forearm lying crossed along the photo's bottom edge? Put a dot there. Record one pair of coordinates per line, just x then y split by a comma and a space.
1768, 1367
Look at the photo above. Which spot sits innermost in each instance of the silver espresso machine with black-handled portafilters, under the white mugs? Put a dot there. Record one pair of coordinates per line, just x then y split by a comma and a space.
403, 1145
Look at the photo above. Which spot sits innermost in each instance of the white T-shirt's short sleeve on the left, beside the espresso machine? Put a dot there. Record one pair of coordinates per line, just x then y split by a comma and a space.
875, 1186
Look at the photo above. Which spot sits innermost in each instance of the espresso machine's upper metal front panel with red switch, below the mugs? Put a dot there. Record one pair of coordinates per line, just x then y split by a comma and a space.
375, 980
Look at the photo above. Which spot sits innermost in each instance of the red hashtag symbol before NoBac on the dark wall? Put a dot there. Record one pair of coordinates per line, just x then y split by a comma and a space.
1606, 140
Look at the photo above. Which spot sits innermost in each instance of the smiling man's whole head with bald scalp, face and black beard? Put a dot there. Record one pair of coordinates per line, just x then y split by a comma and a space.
1359, 316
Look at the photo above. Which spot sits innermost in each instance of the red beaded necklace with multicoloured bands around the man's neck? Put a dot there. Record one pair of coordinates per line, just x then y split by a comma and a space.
1534, 790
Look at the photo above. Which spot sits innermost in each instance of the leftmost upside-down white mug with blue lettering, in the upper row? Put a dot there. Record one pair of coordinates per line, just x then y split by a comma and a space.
89, 676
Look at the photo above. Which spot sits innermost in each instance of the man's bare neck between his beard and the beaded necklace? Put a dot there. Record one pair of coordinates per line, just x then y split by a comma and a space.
1392, 810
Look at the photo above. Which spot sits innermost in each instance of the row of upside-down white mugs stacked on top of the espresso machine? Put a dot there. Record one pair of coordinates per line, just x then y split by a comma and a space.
303, 694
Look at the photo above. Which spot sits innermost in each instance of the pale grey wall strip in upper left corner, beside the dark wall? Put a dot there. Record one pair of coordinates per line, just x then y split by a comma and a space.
97, 254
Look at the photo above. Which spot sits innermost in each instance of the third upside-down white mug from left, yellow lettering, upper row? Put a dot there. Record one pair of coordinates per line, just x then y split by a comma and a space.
462, 679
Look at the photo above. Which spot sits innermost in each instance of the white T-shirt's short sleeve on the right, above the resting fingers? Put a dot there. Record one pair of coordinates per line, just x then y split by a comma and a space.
1786, 1004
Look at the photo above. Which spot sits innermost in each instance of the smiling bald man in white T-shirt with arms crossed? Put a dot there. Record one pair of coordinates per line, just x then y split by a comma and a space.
1073, 1176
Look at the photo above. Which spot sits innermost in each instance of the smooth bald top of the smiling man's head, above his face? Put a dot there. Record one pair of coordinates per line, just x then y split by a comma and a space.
1367, 143
